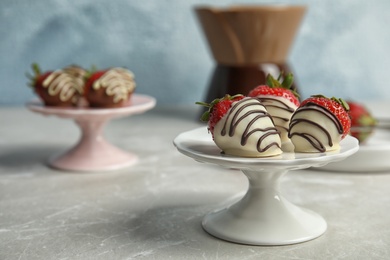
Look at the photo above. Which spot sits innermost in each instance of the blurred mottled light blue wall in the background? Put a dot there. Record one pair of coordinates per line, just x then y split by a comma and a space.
342, 48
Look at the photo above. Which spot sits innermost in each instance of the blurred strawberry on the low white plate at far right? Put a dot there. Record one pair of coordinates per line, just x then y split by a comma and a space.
362, 122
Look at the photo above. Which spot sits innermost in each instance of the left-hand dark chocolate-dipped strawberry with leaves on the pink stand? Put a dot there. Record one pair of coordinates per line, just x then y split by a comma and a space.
56, 88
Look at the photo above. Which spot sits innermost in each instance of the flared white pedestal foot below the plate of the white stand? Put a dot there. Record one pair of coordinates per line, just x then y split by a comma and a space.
264, 217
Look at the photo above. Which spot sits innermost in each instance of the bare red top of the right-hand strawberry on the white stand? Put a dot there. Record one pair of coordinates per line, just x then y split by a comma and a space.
336, 106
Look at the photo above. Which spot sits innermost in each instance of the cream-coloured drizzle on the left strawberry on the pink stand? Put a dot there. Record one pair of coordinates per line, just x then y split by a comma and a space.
64, 85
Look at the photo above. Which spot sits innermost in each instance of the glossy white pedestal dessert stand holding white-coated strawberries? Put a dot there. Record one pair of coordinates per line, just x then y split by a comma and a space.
263, 216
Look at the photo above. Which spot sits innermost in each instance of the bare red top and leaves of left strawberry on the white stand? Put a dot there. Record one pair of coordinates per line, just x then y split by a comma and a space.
217, 109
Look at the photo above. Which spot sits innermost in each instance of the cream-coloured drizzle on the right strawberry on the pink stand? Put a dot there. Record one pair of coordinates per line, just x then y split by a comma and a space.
118, 83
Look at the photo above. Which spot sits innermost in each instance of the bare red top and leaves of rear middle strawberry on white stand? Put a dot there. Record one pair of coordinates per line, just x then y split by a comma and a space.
274, 87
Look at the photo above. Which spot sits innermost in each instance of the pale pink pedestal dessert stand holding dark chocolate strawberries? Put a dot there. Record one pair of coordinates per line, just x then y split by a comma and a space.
93, 152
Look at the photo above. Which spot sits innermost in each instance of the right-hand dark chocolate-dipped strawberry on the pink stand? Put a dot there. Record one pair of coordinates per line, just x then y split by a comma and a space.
109, 88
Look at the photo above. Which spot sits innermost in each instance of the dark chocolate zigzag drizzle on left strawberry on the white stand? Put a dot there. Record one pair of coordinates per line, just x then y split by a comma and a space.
235, 110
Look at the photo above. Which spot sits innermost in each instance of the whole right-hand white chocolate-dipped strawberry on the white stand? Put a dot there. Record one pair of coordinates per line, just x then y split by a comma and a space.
319, 124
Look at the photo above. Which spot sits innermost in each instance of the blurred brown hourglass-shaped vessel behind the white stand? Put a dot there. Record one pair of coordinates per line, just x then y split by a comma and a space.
248, 43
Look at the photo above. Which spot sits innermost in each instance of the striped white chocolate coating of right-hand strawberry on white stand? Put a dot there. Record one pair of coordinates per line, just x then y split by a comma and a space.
313, 129
